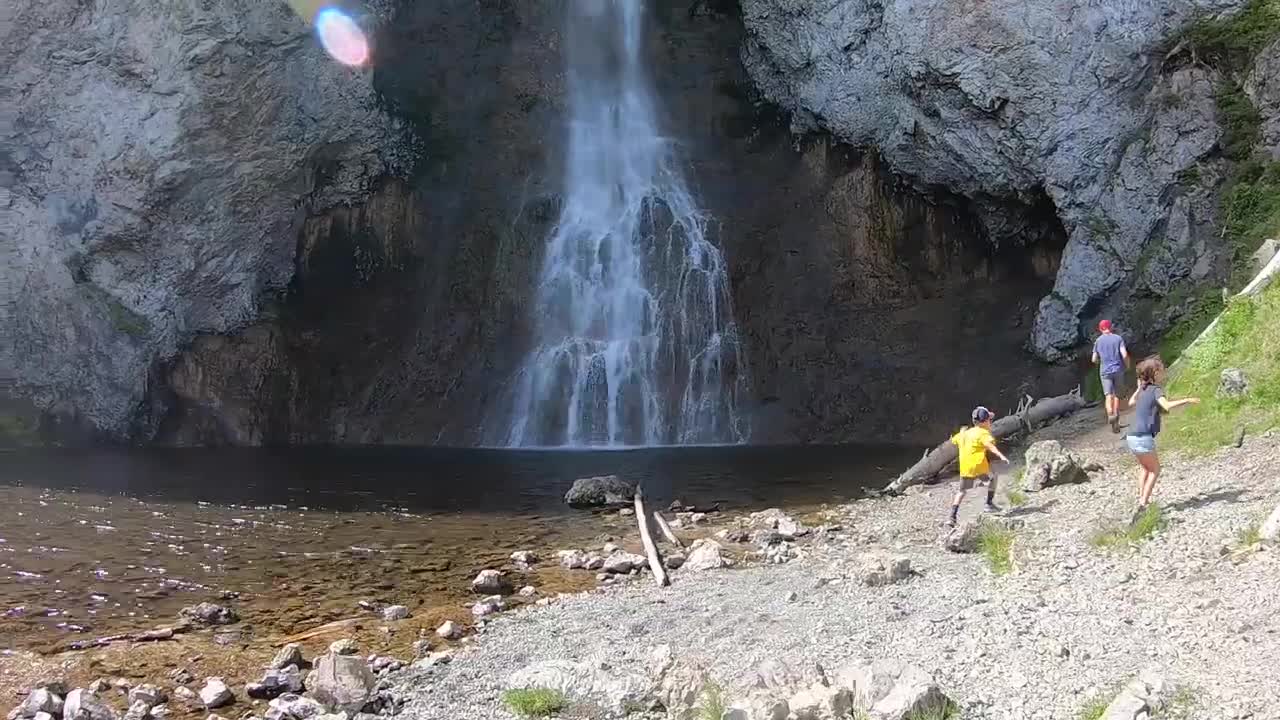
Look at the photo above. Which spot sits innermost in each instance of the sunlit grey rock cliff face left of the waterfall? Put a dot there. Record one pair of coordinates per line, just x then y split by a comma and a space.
157, 162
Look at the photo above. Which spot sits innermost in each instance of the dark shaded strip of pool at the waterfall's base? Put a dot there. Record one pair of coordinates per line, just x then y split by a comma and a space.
460, 480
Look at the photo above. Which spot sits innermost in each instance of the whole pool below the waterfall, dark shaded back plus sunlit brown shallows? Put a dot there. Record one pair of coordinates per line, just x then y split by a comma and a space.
102, 543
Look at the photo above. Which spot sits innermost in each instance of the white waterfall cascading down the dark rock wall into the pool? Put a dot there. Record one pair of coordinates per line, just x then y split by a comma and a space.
636, 341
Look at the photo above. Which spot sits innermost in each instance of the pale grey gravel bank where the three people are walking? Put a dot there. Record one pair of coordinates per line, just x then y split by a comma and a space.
1071, 623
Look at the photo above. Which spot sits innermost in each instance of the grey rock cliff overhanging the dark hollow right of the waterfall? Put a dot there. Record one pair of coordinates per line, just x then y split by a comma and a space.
1005, 102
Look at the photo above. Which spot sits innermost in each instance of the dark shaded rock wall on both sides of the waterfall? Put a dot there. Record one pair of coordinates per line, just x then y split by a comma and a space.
871, 312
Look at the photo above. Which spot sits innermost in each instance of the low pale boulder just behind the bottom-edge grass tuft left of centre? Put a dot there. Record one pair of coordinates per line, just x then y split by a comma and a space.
596, 683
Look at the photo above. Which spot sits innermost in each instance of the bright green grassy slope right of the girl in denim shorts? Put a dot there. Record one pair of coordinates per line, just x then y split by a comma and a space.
1247, 336
